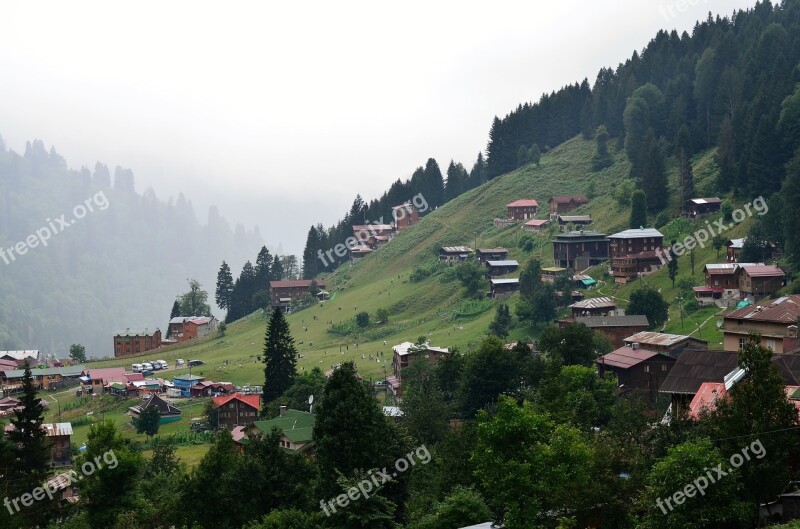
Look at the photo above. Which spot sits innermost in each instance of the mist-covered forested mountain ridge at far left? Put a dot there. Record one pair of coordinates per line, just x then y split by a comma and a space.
116, 267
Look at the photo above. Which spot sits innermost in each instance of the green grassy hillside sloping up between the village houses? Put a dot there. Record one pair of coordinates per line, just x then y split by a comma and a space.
430, 307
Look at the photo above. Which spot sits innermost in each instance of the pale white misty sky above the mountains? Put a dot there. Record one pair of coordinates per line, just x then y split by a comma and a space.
280, 112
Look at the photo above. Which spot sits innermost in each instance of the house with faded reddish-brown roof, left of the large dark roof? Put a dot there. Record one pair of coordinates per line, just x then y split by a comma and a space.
639, 372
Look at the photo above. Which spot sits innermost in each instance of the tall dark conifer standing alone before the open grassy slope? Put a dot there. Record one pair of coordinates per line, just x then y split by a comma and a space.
280, 357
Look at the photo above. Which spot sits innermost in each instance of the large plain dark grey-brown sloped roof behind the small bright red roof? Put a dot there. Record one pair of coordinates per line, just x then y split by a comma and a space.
695, 366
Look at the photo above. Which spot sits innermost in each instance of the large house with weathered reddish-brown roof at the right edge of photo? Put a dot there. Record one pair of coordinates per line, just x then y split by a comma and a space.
775, 321
